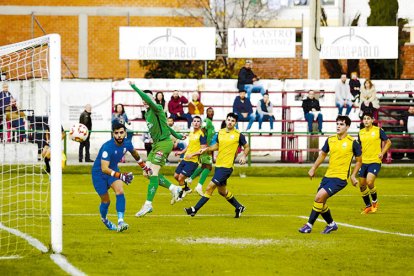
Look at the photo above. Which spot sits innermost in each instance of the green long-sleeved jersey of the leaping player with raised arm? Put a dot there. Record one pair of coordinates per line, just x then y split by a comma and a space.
156, 119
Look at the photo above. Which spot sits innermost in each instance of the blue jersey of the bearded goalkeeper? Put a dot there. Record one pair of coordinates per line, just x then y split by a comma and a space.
113, 153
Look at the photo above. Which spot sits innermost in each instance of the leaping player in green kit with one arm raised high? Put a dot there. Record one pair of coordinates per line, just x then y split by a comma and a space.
161, 148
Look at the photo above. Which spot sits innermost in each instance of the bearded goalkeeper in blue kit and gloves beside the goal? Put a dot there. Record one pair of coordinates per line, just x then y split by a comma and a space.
106, 174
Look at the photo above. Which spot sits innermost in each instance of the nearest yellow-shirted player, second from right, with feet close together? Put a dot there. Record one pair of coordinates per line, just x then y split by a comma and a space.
342, 148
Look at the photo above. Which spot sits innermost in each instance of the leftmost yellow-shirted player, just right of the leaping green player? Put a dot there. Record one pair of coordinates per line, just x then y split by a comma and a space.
197, 141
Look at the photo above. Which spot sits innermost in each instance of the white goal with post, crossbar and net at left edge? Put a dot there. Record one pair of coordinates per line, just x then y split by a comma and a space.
30, 130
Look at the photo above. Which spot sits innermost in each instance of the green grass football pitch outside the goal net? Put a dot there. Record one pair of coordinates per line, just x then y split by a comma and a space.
264, 241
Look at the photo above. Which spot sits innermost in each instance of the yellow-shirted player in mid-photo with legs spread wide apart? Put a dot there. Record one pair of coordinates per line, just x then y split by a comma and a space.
228, 141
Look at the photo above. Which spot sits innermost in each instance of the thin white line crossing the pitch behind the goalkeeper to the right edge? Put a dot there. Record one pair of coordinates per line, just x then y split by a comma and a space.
272, 215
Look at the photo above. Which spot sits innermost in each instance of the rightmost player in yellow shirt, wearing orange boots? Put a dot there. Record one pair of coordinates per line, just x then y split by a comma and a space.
371, 138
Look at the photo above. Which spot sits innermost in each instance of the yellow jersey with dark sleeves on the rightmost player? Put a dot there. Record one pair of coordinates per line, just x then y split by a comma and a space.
370, 141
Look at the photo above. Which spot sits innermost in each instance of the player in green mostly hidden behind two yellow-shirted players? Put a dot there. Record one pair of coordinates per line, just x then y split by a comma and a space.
206, 159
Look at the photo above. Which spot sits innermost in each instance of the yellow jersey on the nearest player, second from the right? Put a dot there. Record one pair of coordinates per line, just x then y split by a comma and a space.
341, 152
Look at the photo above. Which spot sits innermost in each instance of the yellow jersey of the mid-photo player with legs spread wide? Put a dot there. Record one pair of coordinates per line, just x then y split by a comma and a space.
228, 143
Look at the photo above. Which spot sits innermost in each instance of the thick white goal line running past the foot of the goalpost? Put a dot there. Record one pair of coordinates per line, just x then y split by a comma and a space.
57, 258
